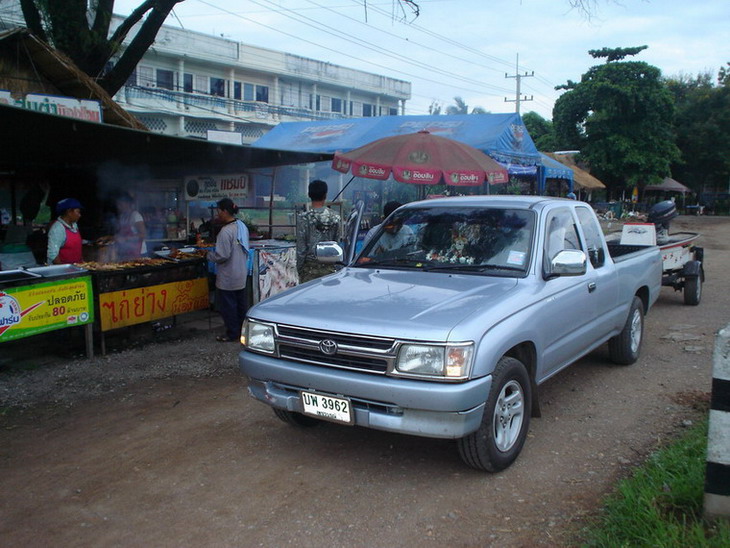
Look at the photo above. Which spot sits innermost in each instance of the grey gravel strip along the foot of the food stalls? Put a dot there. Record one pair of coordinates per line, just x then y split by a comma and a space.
36, 372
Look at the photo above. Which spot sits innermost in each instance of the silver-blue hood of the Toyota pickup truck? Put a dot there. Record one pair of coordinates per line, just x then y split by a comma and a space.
389, 303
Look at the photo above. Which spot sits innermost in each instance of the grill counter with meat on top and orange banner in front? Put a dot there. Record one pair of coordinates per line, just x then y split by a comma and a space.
147, 289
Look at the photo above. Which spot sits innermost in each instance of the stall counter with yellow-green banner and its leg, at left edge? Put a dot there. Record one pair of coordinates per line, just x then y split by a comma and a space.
47, 298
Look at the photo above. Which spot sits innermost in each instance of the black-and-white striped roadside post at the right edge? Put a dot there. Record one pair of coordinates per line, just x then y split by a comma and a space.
717, 475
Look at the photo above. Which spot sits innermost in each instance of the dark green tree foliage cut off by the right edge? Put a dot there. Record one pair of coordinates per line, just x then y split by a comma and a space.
703, 130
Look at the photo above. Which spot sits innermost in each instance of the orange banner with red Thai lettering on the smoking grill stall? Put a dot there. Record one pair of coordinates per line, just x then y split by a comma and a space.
146, 304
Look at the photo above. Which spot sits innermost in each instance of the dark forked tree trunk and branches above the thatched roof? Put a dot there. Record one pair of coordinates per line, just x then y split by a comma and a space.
82, 30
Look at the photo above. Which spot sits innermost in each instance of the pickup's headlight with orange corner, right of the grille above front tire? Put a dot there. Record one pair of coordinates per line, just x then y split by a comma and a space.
449, 361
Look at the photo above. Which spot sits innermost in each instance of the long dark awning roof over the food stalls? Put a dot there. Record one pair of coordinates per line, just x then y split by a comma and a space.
47, 142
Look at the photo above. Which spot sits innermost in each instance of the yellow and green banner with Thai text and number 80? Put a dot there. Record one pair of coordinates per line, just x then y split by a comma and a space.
41, 307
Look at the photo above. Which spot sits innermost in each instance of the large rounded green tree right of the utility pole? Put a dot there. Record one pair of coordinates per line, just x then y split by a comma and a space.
620, 116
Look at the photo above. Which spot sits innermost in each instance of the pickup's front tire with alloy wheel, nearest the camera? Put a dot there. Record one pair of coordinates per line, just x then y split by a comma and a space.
503, 430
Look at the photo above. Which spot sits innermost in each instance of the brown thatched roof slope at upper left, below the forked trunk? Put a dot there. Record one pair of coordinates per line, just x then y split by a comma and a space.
62, 74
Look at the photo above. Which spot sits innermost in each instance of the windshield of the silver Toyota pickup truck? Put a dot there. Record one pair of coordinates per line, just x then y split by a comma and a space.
471, 240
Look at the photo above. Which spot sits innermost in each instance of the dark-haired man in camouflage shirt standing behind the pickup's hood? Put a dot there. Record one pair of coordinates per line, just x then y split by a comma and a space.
319, 224
